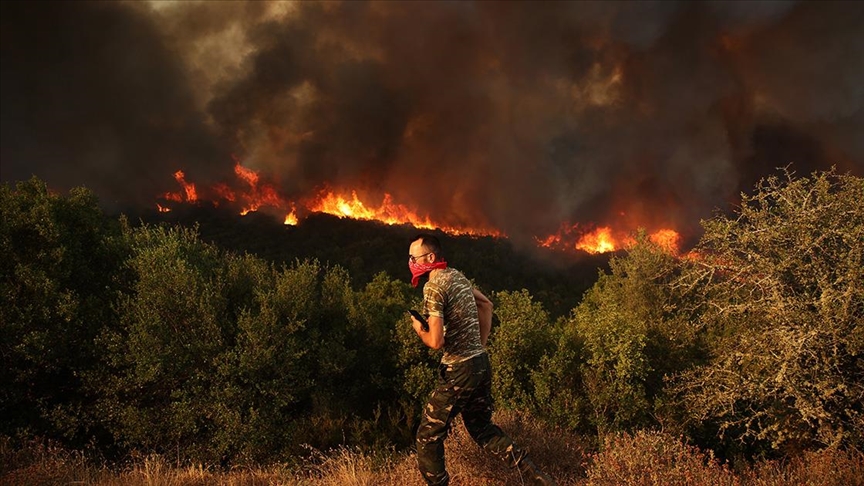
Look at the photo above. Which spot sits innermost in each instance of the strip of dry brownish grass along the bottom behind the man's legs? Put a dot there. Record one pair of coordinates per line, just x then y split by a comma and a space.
645, 458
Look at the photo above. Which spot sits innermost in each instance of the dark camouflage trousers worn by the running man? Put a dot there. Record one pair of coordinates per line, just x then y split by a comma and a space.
464, 388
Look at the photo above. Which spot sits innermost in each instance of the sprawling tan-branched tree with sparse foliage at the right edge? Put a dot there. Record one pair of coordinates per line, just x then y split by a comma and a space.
783, 288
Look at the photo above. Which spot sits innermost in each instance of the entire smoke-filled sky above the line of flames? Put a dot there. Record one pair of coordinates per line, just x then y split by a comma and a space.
515, 115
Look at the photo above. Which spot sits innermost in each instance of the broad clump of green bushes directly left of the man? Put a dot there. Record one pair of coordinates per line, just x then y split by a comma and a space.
222, 357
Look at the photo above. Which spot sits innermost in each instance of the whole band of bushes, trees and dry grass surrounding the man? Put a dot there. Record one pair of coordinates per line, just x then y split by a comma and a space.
738, 363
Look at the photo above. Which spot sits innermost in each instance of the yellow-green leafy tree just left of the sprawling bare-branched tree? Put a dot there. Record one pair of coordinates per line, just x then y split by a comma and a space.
632, 335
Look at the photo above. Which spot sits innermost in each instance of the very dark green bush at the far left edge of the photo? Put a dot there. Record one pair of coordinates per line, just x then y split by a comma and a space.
60, 261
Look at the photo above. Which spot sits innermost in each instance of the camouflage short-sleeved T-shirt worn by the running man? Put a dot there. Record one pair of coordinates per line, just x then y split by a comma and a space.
449, 295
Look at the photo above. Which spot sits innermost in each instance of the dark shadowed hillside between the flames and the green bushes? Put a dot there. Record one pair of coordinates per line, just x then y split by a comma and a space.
364, 249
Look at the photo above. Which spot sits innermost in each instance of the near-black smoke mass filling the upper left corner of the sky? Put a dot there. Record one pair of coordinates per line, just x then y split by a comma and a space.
91, 96
